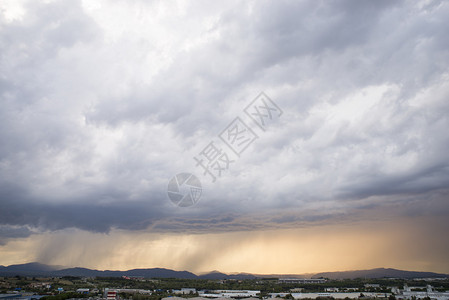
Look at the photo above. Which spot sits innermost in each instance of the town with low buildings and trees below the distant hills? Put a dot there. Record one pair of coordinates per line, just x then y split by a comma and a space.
19, 287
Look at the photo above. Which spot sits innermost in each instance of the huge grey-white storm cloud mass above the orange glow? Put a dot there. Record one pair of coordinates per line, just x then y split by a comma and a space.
101, 106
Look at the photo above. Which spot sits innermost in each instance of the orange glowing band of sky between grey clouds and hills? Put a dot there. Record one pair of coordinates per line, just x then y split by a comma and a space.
290, 251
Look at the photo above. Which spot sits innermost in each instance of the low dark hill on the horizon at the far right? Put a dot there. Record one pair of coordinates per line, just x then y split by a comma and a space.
378, 273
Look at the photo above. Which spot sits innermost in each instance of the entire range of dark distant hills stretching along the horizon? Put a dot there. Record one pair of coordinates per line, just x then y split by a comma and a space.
37, 269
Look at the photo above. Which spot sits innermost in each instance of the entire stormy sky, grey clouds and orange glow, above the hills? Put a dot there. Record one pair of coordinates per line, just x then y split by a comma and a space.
103, 102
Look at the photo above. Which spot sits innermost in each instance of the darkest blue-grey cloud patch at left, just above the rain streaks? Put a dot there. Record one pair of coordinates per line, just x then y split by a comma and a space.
95, 215
